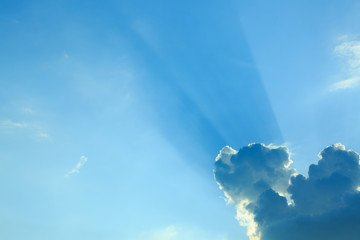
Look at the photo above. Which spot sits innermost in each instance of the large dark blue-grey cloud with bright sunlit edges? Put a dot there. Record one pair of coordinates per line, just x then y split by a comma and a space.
276, 203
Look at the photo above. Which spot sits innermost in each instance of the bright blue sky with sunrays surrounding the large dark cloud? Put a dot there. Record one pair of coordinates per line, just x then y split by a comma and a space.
112, 113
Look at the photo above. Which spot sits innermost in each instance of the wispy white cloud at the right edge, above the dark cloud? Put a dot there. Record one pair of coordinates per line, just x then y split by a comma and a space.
349, 51
